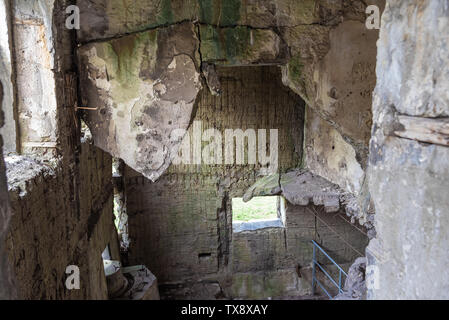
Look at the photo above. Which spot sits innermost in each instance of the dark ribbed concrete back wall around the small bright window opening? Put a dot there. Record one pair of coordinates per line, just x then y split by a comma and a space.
181, 225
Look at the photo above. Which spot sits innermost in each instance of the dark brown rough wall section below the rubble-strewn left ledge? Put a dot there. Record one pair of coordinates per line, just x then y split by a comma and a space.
47, 235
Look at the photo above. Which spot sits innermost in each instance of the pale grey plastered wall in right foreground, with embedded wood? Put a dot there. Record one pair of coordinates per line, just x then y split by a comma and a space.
409, 179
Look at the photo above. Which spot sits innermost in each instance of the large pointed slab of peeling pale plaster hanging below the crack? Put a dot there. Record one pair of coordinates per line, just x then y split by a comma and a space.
144, 86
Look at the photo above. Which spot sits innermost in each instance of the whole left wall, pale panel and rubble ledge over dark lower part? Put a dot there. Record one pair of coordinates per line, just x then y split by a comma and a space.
61, 191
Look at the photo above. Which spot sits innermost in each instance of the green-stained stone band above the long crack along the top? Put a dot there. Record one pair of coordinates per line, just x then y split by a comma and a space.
108, 18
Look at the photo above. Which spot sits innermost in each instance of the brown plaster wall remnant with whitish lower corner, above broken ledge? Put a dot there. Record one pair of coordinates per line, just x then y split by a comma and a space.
338, 126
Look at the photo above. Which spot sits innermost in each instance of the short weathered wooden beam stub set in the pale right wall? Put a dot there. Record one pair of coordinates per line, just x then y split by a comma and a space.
429, 130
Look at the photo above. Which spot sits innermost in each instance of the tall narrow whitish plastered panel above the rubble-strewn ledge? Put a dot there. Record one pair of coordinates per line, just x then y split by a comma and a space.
35, 72
